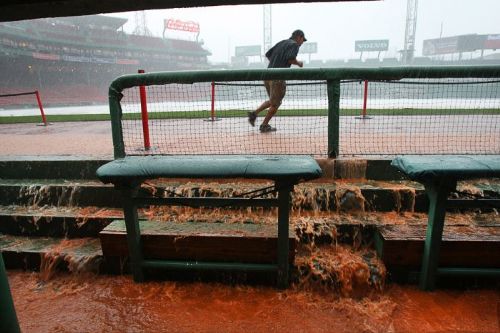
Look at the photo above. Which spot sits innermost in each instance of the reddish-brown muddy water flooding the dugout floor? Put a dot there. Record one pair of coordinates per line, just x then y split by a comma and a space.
116, 304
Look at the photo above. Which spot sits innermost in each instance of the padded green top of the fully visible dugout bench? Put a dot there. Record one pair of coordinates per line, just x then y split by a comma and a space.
273, 167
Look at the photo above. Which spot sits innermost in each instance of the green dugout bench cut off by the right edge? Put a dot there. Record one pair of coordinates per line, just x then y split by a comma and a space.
439, 174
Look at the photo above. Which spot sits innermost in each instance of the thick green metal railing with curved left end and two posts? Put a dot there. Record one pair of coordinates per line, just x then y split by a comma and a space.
332, 76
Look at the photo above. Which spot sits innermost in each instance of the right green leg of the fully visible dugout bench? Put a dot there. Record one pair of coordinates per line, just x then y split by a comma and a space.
283, 231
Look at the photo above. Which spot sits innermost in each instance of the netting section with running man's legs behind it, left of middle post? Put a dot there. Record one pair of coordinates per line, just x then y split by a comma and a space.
181, 120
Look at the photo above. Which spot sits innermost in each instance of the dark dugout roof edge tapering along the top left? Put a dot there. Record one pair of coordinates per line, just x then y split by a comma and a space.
15, 10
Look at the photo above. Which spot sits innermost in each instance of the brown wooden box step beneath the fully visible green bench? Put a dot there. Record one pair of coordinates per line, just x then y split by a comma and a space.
246, 243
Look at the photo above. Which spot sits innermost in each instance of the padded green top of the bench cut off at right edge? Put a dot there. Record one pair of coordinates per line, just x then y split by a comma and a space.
428, 168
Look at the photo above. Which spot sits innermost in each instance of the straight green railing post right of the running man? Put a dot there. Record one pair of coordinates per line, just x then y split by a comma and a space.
333, 91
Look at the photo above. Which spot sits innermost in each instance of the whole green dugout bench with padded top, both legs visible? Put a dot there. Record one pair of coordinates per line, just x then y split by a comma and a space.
129, 172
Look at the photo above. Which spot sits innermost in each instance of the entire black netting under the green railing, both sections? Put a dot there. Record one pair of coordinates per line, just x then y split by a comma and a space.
410, 116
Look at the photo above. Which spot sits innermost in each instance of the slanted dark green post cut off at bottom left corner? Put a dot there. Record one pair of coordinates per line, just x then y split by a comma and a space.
8, 318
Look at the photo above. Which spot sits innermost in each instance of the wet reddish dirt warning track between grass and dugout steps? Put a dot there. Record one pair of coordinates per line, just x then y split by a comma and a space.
301, 135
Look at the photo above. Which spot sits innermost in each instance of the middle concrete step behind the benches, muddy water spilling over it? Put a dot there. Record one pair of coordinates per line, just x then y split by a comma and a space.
310, 226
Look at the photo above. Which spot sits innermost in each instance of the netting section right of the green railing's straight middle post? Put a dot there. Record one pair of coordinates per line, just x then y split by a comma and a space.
424, 116
